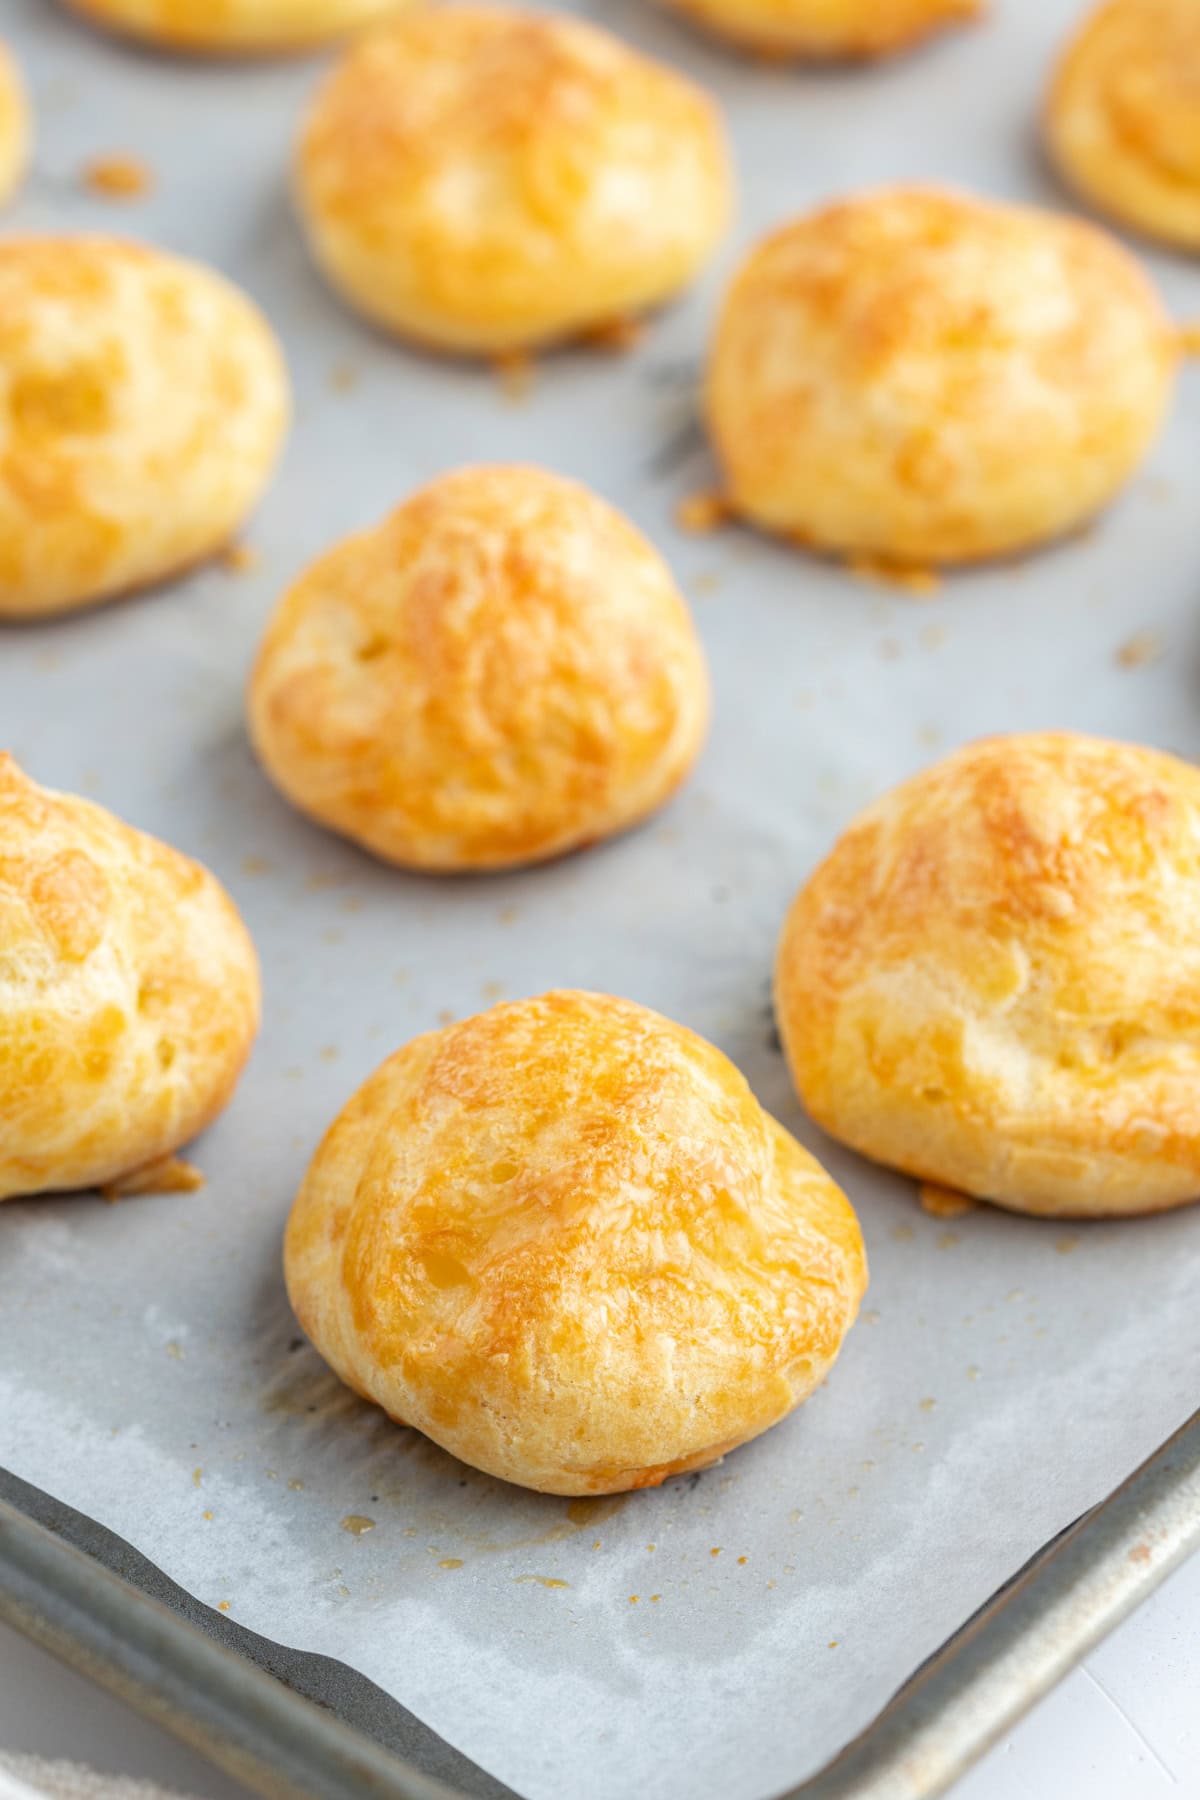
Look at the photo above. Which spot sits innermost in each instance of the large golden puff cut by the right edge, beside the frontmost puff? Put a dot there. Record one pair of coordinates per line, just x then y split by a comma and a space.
994, 980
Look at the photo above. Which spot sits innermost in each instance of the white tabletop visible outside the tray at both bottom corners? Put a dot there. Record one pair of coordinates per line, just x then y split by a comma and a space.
1124, 1727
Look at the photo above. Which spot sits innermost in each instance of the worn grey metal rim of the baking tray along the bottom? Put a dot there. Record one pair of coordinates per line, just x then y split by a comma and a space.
265, 1714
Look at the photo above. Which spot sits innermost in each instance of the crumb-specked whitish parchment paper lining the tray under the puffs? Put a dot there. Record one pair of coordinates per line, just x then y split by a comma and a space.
724, 1635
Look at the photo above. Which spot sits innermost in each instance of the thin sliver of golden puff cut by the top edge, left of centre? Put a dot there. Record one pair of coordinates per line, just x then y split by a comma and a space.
237, 26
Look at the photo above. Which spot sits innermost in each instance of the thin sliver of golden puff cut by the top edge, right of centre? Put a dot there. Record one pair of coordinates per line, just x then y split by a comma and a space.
827, 28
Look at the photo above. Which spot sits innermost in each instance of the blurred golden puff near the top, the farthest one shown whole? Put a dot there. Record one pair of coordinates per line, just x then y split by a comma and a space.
483, 179
